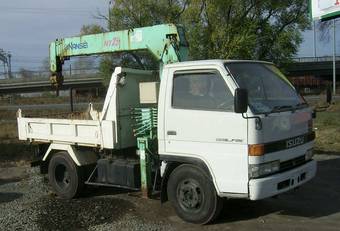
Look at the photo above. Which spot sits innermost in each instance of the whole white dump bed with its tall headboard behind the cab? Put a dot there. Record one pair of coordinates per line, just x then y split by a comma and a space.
110, 129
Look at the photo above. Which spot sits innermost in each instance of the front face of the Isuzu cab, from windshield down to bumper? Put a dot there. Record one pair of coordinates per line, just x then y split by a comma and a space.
280, 133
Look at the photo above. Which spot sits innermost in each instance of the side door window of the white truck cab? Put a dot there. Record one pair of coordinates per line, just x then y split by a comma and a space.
201, 91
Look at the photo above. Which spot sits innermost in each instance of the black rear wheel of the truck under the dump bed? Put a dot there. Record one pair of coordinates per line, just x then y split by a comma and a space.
65, 176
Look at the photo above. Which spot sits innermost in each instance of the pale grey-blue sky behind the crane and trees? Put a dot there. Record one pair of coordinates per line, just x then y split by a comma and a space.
28, 26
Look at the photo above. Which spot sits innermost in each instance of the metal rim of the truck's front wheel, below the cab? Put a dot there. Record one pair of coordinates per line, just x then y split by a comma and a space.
190, 195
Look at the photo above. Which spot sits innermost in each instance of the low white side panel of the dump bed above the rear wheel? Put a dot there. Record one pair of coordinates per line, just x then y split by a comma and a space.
92, 133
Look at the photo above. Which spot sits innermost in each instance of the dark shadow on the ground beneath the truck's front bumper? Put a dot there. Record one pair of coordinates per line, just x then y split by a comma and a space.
317, 198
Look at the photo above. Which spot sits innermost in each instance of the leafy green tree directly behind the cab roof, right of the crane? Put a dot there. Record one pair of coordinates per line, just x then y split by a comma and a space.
243, 29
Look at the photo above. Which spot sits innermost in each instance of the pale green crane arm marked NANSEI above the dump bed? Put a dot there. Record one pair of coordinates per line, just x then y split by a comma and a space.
166, 42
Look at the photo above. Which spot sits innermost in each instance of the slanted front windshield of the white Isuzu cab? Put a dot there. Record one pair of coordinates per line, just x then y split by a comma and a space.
268, 89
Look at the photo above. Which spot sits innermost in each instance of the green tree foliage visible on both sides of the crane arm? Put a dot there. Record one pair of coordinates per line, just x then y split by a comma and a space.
224, 29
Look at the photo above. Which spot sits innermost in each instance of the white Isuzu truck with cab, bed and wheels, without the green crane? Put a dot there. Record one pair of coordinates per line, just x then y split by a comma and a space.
225, 129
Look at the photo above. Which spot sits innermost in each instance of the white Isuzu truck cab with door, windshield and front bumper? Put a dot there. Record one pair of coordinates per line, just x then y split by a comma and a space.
255, 153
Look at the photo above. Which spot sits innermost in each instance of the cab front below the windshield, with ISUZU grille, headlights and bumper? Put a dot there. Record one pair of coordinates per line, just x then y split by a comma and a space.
281, 164
